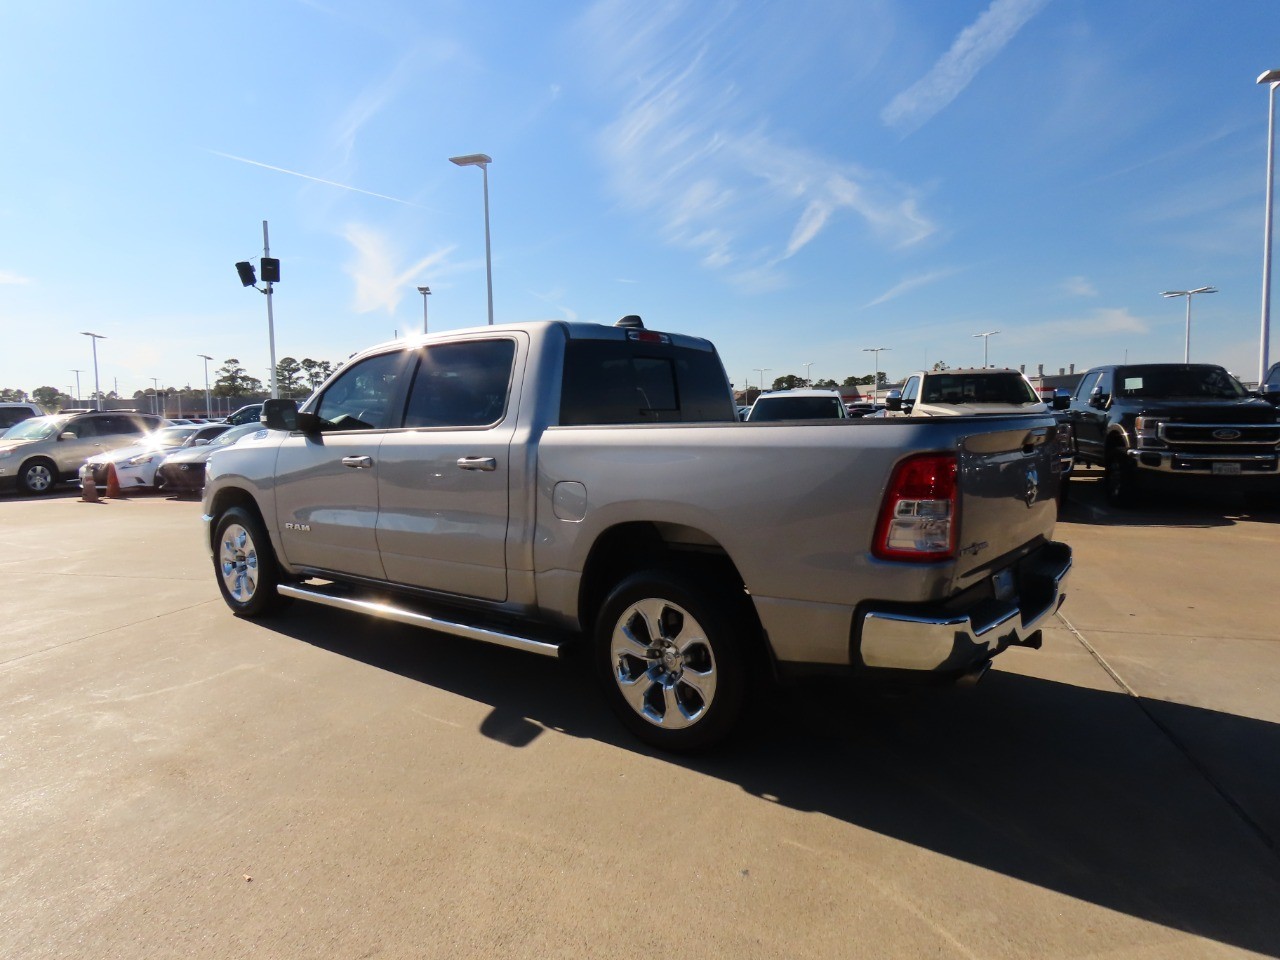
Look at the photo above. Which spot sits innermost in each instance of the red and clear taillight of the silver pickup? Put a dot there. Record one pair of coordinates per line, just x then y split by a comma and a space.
918, 516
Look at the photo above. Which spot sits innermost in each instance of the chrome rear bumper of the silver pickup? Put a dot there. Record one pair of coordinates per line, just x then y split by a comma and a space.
956, 642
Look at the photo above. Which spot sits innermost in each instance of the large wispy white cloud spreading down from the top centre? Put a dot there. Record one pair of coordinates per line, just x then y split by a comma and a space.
683, 150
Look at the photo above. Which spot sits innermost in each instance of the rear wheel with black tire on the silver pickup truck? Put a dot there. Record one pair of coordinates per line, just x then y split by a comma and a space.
671, 652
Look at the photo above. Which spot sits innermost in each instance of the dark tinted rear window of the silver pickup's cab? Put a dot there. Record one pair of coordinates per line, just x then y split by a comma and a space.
624, 382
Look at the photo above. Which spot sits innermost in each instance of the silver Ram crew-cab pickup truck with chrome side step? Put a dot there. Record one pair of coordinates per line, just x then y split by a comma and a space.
551, 486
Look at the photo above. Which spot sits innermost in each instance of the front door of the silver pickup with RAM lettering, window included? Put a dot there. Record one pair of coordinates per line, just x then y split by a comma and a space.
327, 483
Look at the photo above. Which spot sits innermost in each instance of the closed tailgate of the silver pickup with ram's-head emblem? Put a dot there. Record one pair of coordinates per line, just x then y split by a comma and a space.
1008, 490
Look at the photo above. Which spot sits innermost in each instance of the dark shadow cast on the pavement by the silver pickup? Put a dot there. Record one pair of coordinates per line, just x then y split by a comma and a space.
1159, 811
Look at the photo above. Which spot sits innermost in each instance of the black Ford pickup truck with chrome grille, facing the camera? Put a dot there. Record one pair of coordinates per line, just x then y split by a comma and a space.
1174, 422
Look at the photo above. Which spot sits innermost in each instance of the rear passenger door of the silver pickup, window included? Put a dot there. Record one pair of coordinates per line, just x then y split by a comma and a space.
444, 478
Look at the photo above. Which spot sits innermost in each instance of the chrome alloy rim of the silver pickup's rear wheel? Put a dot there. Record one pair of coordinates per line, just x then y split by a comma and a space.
664, 664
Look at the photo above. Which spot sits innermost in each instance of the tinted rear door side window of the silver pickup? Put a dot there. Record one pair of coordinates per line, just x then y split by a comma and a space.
461, 385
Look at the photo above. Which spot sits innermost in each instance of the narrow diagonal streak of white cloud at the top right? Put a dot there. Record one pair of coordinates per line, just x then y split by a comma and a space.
972, 51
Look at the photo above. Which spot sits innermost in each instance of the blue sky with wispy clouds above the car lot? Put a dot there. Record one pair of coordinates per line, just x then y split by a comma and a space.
794, 181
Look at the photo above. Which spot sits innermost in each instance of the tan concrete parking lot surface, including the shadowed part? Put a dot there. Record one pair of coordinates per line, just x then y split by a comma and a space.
176, 783
